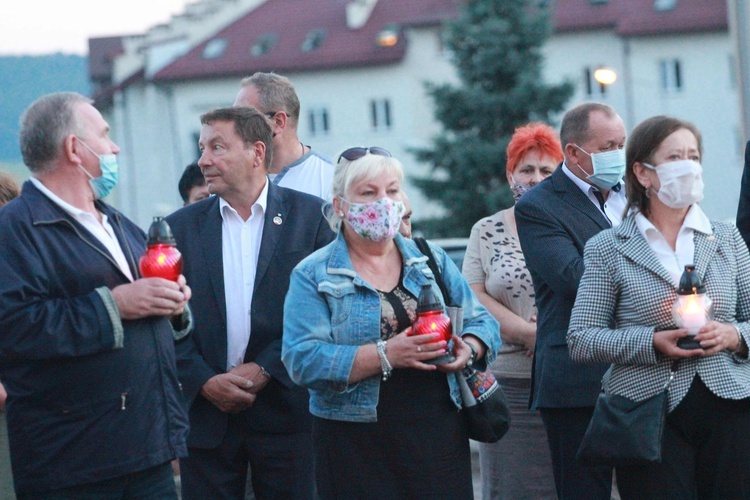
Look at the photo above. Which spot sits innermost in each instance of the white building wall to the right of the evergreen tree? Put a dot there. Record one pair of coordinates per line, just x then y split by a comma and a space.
708, 97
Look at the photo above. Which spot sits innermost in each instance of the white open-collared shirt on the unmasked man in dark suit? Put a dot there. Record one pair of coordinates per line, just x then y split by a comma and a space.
240, 247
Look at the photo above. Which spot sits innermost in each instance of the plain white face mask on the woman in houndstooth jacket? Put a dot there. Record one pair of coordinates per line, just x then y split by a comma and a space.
681, 182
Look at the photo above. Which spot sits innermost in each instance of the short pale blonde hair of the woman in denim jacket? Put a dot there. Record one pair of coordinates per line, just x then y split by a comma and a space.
348, 172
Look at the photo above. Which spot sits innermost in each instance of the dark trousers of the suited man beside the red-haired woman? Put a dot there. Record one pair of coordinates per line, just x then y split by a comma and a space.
565, 429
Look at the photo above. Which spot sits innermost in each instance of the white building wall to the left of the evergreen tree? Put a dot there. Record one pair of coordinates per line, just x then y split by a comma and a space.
157, 124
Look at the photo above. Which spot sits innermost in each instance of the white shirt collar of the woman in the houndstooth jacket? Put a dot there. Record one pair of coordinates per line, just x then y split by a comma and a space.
674, 261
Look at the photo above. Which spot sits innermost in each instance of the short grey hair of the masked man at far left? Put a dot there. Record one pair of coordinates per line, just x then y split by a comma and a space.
45, 125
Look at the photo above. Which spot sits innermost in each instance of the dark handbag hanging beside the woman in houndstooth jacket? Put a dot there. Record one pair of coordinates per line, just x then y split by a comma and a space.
624, 432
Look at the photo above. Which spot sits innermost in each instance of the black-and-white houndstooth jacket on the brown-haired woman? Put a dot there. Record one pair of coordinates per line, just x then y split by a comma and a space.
626, 294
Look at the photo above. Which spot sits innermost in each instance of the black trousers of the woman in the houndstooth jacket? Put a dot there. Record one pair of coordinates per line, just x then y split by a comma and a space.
705, 452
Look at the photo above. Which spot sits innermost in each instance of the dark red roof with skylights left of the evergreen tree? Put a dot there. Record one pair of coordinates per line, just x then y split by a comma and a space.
309, 36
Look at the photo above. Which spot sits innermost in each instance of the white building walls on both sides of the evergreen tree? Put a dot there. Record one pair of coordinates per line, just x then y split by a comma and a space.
156, 125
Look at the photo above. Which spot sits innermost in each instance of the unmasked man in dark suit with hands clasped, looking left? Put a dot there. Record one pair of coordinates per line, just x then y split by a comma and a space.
240, 247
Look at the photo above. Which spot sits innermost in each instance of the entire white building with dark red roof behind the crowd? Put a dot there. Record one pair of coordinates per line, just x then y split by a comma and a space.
359, 67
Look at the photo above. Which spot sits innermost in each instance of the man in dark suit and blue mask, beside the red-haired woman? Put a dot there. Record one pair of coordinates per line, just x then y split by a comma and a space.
555, 220
